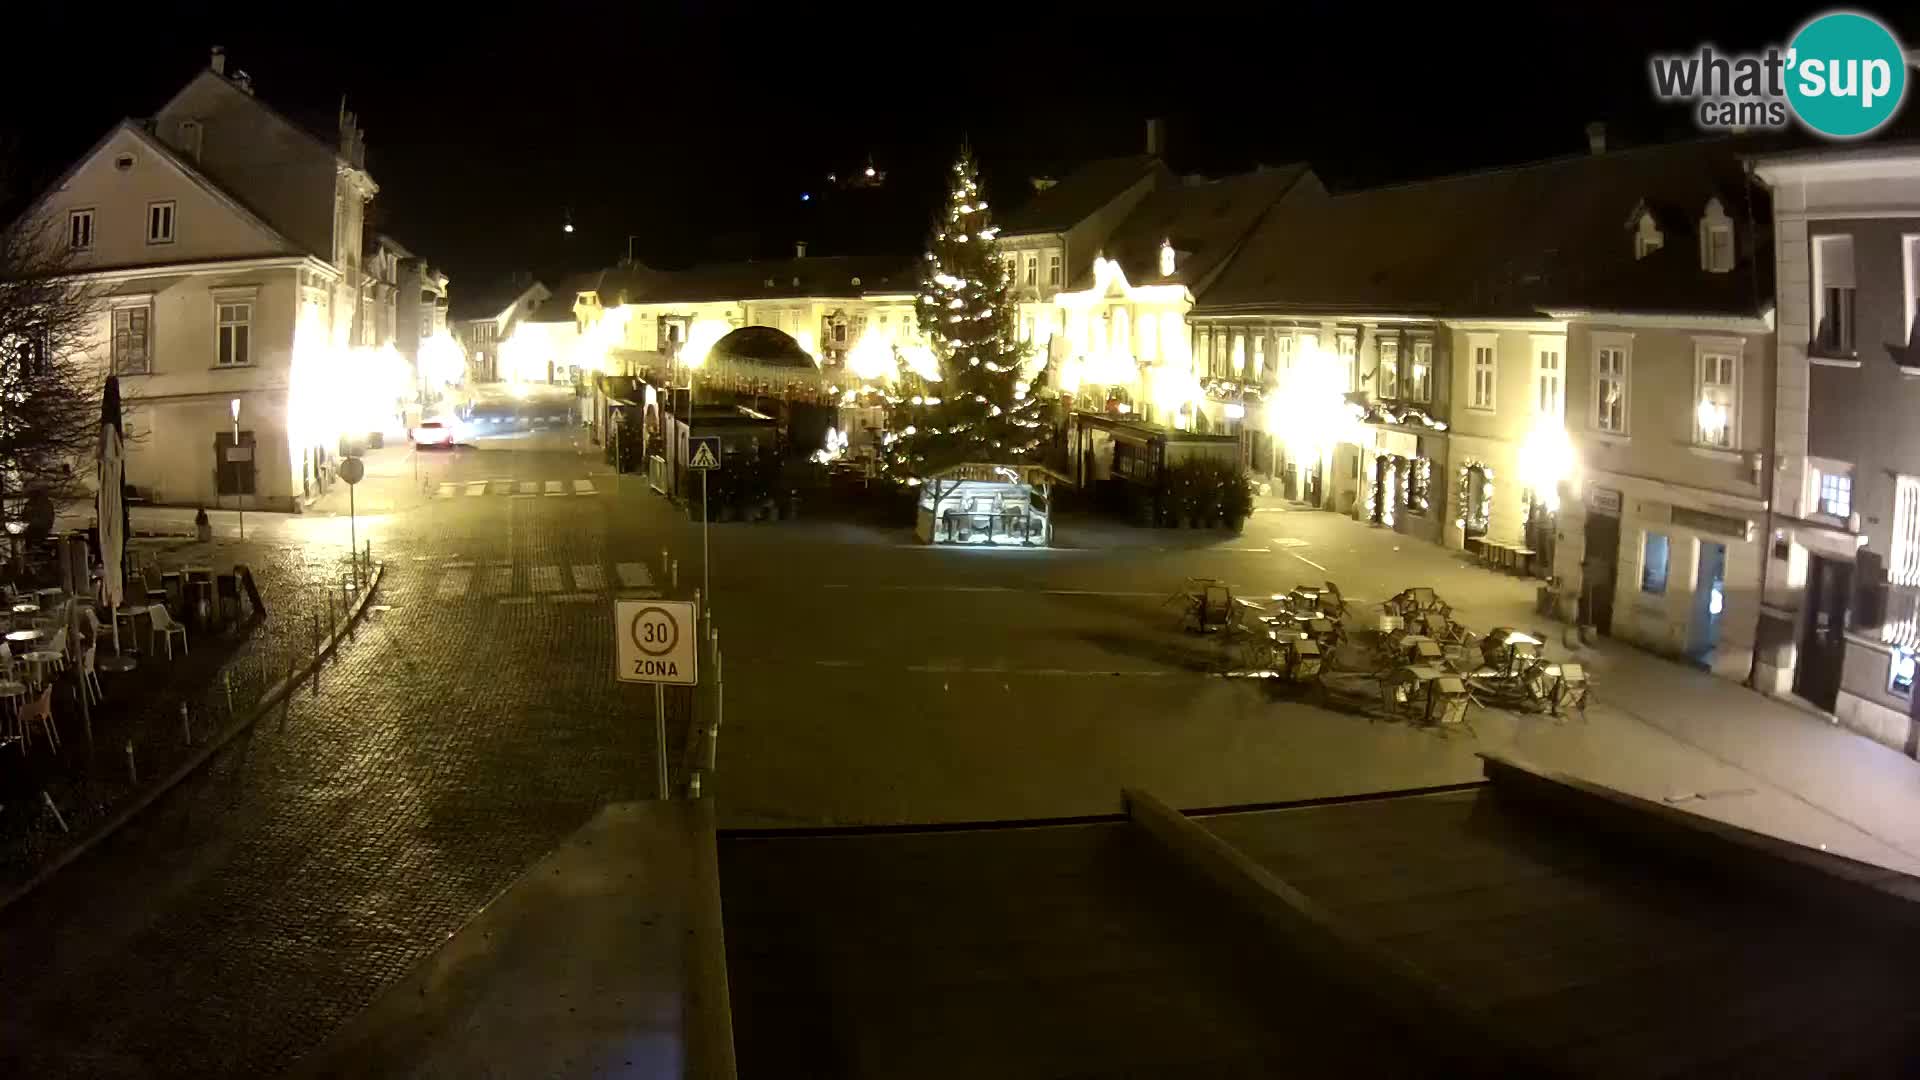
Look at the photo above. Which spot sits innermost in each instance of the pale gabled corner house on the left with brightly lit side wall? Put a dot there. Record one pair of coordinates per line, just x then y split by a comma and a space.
226, 243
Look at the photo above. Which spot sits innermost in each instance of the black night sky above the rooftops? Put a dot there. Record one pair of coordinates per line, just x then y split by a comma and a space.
696, 128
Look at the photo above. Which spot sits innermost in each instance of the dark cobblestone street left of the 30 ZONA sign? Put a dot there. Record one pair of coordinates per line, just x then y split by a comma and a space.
335, 845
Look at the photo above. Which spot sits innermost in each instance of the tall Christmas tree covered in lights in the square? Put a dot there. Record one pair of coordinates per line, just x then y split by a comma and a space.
982, 406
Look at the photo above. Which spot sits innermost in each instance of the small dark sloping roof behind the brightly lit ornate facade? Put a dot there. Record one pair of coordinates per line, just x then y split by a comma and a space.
1203, 220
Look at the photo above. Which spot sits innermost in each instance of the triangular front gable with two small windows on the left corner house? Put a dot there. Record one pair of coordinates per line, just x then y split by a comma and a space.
122, 178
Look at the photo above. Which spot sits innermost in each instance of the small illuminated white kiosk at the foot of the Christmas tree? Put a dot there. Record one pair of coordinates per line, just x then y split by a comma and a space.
984, 506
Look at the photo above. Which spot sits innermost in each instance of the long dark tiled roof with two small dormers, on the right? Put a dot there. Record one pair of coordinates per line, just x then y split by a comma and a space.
1554, 235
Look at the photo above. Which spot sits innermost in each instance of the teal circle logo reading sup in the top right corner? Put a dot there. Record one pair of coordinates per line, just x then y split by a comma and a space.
1846, 74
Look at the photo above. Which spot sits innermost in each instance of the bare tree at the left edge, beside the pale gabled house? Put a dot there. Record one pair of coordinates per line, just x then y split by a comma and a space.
49, 385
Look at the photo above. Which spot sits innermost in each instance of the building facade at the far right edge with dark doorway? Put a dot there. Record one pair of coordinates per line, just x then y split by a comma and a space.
1842, 622
